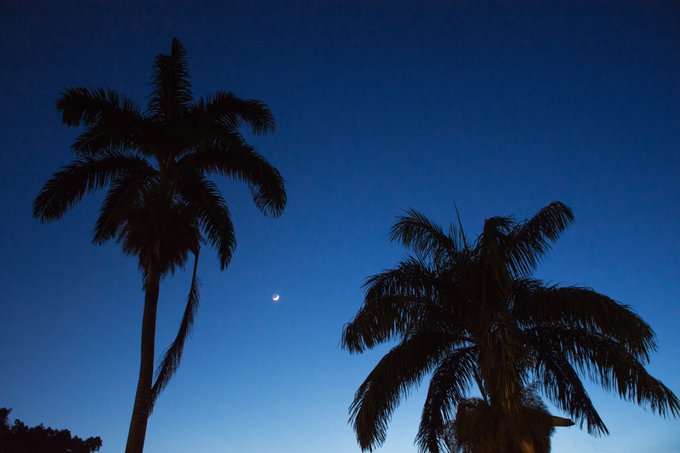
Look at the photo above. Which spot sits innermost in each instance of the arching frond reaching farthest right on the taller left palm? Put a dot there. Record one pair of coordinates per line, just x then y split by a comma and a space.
242, 162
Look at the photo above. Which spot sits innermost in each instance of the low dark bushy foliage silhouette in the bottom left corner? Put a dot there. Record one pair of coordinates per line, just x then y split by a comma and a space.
19, 438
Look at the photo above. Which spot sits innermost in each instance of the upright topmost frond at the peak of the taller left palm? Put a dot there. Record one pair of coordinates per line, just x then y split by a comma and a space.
171, 96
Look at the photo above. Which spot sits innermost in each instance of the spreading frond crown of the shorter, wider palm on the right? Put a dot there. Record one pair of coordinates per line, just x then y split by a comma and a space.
471, 315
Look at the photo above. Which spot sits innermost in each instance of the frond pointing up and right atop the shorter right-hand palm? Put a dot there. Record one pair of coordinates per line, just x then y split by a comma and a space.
530, 240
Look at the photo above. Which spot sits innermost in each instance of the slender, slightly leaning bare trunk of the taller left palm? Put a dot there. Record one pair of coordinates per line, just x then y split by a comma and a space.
140, 413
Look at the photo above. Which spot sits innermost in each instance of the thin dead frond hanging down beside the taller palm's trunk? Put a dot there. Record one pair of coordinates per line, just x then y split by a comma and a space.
173, 355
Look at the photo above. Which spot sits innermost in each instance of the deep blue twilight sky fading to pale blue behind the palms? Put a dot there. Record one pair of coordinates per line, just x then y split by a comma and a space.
380, 106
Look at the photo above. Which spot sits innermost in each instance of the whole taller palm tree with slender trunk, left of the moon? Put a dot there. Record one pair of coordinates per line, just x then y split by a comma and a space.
161, 205
